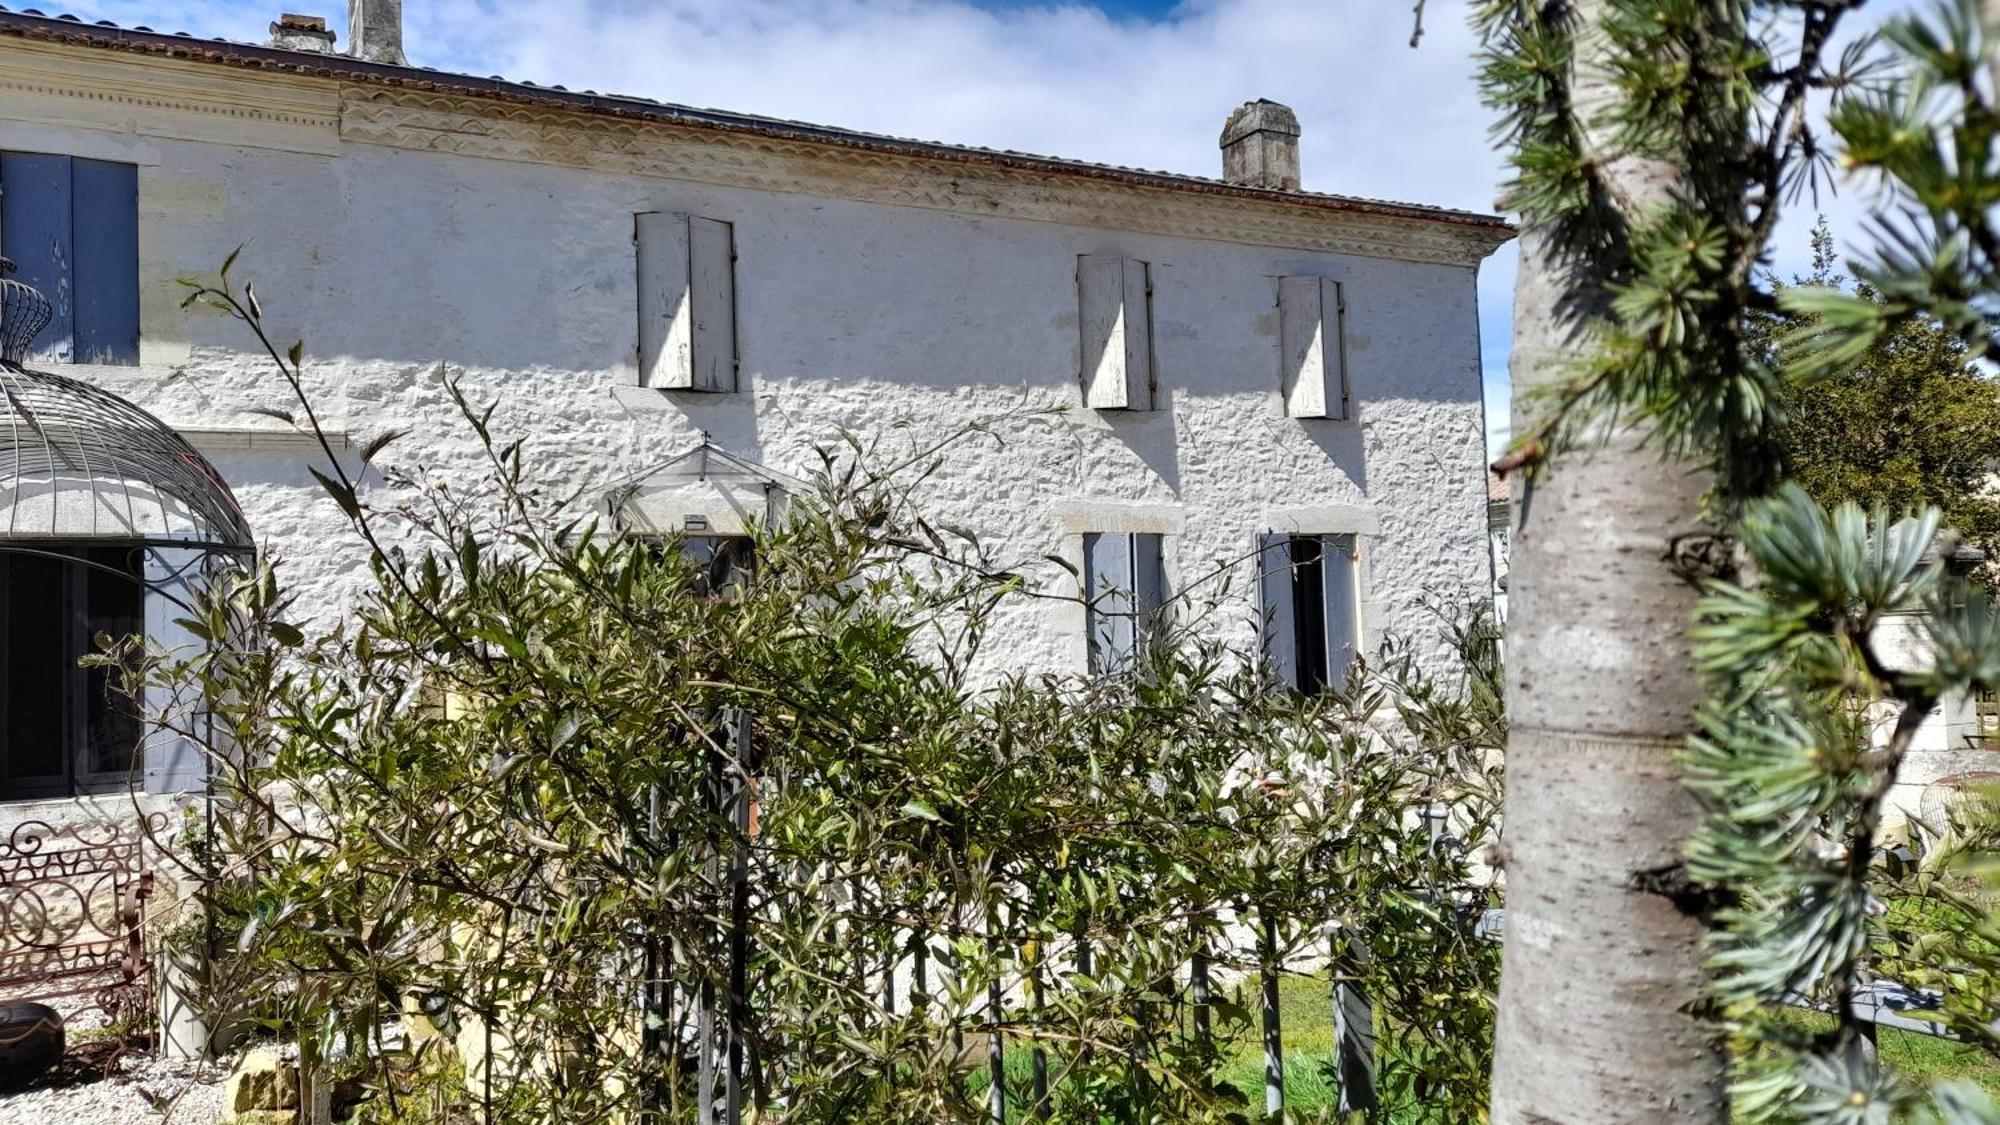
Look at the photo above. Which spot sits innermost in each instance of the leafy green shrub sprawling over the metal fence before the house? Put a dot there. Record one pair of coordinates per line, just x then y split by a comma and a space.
493, 800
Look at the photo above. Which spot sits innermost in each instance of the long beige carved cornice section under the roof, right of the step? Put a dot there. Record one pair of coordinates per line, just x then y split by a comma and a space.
549, 135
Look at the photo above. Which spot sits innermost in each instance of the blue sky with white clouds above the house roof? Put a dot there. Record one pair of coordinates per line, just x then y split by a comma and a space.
1137, 83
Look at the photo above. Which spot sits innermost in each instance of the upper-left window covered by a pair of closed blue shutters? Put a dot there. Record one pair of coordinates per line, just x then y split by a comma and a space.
71, 229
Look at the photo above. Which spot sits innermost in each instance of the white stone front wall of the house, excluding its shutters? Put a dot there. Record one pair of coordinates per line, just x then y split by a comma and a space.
405, 231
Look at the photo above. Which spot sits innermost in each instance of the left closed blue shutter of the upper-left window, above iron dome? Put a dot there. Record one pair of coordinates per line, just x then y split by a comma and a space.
35, 233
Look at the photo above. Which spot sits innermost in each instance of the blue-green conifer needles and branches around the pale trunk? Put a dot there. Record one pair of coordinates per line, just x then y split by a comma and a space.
1805, 724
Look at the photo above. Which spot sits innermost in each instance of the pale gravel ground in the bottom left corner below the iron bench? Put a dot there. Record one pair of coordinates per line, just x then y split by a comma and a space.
143, 1092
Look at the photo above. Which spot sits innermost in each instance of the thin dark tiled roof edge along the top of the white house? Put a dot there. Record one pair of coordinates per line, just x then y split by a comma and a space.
33, 25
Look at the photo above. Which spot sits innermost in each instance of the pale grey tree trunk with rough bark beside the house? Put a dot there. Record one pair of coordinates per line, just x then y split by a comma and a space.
1601, 976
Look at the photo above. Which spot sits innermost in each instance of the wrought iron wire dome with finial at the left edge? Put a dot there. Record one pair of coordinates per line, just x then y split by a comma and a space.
83, 463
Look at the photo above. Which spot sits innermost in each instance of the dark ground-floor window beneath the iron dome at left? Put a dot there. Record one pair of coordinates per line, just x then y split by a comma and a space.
65, 728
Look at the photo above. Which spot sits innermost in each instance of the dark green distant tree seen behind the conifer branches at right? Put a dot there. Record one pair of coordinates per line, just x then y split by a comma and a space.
1911, 423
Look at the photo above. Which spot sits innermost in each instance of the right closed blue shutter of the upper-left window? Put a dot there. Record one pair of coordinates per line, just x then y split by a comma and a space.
105, 239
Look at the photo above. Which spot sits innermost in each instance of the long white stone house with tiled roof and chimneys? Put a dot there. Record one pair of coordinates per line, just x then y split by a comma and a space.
1243, 365
